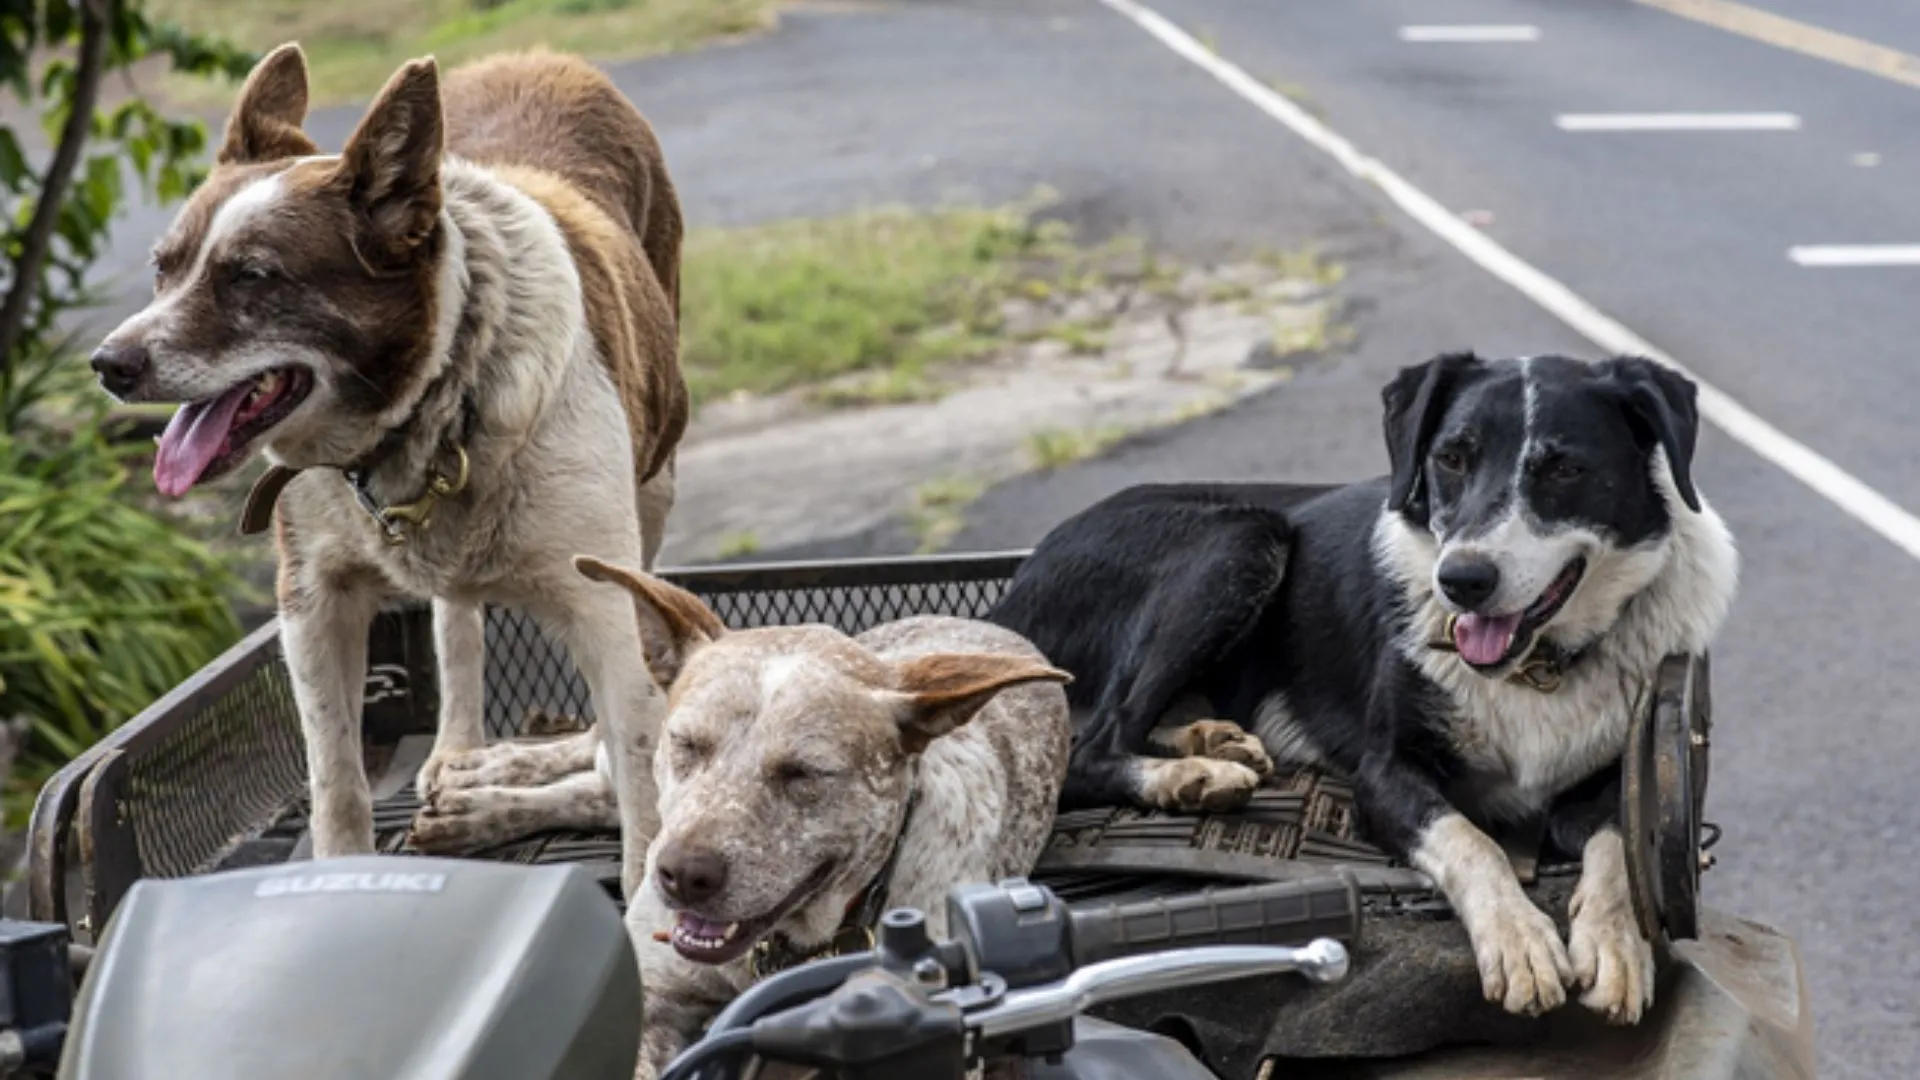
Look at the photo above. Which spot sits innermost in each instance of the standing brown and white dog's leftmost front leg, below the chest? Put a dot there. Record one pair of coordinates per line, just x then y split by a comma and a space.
324, 633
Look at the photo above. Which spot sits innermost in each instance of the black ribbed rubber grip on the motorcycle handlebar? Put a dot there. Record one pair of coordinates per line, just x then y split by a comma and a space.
1284, 914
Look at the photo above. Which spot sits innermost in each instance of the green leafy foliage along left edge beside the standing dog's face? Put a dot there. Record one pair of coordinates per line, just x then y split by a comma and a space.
103, 604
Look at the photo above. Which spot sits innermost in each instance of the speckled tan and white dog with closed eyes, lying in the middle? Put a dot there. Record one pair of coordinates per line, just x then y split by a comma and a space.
809, 781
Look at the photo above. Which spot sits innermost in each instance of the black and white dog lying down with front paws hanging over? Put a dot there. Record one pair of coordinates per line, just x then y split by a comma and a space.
1466, 637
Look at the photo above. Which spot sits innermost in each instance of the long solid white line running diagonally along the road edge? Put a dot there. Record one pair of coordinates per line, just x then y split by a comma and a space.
1800, 462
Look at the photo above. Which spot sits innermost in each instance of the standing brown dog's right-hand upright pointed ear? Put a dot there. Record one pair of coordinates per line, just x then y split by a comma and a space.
391, 164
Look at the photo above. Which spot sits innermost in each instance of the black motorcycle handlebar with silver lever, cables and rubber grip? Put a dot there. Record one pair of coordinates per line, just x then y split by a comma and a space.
1047, 960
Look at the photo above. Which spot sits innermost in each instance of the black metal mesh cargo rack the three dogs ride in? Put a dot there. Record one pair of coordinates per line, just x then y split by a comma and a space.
214, 773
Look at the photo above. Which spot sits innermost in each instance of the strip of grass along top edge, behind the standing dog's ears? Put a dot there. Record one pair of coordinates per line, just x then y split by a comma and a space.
354, 45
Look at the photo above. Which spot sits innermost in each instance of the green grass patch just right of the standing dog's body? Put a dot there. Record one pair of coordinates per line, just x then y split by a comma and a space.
890, 293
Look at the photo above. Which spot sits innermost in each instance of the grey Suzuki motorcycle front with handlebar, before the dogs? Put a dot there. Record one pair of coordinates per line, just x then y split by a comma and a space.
448, 970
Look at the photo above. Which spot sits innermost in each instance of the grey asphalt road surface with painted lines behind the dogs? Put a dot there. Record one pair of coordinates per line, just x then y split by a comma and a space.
1681, 235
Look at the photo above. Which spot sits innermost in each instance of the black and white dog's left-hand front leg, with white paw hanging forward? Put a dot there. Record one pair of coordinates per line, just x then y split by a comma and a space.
1524, 964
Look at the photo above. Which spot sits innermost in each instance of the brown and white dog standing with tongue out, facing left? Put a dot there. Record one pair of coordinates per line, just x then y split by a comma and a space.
456, 345
